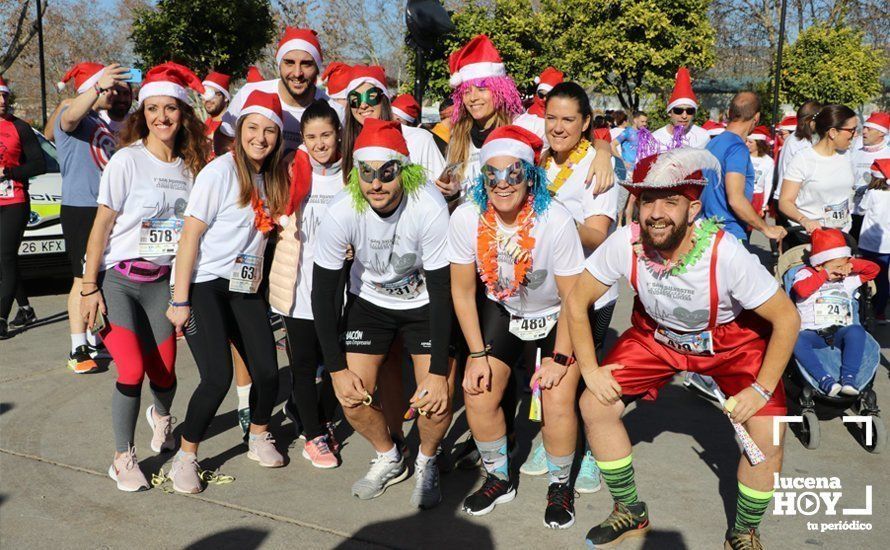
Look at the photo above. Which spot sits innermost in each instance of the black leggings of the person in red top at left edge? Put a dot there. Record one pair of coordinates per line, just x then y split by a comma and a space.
13, 219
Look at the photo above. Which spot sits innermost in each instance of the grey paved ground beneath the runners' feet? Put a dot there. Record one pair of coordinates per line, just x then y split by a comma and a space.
56, 442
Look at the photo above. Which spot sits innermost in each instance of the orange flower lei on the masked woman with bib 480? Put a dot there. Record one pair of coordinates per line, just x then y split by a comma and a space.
488, 243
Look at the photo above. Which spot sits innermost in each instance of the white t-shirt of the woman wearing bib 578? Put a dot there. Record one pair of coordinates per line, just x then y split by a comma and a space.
139, 186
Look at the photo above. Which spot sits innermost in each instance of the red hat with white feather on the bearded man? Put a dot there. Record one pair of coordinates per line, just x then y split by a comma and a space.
680, 169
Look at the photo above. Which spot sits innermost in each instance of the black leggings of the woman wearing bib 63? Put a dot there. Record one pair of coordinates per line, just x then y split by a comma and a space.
218, 317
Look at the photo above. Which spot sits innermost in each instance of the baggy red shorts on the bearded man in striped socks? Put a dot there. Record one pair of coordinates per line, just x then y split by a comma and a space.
739, 347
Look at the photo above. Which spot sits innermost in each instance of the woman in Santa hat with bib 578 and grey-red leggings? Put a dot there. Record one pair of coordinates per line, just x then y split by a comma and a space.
126, 279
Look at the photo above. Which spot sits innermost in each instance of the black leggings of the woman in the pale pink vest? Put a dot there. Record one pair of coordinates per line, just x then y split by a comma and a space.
316, 404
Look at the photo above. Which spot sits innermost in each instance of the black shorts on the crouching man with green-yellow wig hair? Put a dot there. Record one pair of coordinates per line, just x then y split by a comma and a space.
370, 329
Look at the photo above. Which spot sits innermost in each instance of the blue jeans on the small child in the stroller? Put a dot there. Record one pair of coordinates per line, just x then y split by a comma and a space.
810, 352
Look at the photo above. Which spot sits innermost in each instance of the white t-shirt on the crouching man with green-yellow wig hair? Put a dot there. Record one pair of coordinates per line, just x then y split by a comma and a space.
390, 252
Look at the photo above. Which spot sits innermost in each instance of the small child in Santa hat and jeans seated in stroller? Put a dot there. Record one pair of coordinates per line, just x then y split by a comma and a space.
824, 293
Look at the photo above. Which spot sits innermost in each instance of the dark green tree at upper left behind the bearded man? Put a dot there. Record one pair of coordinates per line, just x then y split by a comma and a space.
226, 36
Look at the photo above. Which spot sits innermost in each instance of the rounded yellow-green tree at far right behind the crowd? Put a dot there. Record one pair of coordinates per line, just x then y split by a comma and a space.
832, 65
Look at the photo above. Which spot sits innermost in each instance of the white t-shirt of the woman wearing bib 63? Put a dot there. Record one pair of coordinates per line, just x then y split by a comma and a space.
231, 230
